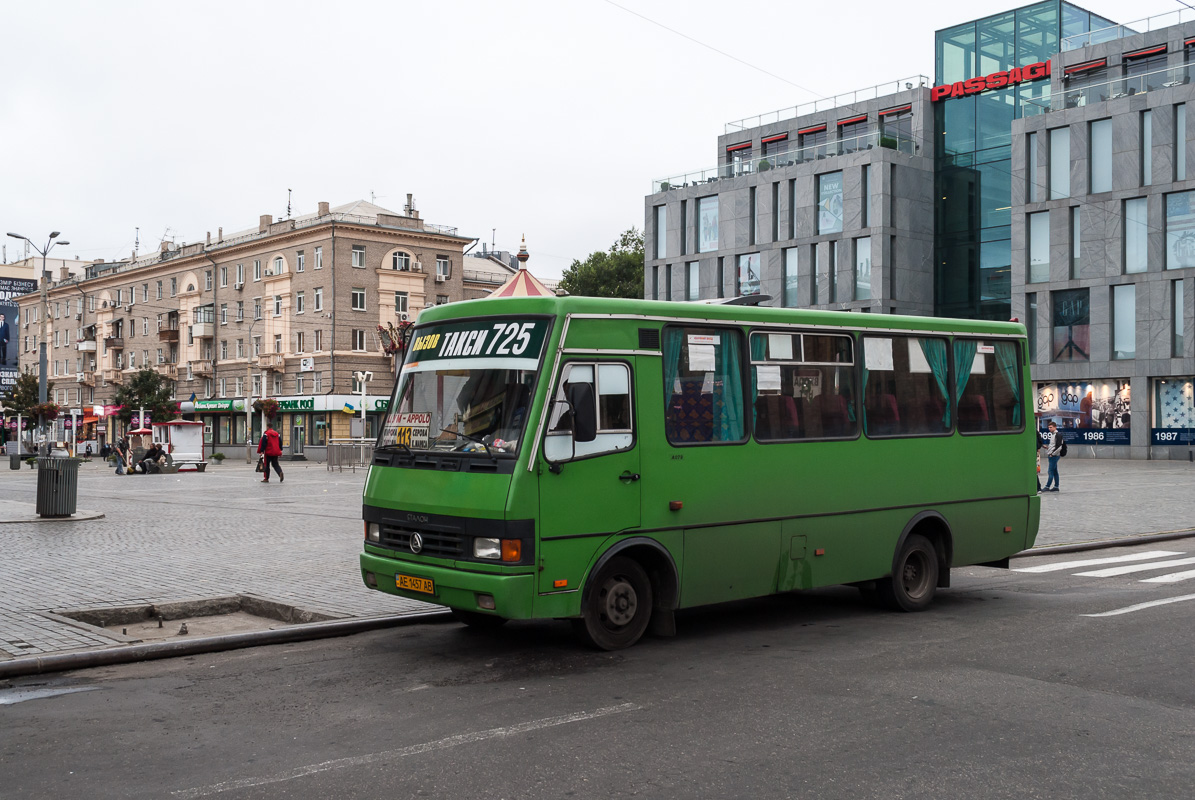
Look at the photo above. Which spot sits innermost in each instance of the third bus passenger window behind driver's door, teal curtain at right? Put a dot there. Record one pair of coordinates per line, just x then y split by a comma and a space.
905, 387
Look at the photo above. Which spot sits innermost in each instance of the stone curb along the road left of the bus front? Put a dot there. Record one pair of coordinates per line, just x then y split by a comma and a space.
133, 654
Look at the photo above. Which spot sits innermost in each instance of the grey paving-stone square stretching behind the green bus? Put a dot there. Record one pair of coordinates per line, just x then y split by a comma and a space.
173, 538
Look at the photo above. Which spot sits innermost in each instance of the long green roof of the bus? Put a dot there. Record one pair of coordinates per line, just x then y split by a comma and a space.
710, 313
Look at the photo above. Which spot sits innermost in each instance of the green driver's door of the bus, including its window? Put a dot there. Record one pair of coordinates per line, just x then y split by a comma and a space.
590, 484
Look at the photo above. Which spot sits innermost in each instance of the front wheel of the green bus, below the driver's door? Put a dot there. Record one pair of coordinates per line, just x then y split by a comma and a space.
617, 606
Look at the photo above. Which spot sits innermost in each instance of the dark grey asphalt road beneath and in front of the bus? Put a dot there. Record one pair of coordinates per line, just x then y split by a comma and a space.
1003, 689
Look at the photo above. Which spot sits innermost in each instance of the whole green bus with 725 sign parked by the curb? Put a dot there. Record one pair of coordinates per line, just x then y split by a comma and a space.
610, 462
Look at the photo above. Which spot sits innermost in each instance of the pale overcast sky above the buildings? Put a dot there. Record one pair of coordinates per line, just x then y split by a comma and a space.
547, 118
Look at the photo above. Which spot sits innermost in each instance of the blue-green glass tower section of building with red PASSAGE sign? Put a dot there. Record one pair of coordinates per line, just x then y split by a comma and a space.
973, 249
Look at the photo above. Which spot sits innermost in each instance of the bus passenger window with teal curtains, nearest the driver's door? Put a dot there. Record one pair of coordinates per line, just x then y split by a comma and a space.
703, 386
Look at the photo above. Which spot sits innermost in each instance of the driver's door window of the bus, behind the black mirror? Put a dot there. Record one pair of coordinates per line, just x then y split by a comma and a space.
611, 416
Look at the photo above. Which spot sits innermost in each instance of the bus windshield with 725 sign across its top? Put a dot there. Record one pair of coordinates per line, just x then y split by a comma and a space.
467, 387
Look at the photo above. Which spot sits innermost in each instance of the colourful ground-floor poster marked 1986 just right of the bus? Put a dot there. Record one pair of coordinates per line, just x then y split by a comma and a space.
1095, 413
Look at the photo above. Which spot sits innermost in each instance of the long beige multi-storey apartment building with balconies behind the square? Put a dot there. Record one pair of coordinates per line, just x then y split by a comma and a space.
289, 310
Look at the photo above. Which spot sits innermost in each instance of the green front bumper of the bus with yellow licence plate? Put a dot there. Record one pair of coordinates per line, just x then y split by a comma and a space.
513, 596
